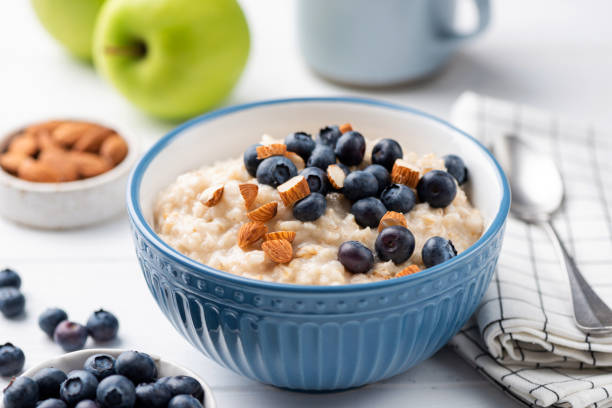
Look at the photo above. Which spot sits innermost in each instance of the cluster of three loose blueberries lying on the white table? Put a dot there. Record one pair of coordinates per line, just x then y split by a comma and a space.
102, 326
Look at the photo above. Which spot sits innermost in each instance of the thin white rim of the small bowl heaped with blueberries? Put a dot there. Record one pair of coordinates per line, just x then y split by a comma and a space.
208, 393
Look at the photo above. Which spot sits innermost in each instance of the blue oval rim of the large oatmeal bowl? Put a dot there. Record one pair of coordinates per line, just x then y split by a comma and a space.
139, 222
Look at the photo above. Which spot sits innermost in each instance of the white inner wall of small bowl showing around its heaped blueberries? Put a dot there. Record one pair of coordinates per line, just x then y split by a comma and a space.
75, 361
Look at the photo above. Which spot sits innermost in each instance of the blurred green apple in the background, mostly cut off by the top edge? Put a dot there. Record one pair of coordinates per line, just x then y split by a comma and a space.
71, 22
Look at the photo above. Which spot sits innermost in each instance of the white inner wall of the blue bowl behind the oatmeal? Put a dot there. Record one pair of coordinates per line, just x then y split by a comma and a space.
229, 135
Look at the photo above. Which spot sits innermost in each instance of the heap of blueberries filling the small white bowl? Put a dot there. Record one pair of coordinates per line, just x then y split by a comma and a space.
129, 381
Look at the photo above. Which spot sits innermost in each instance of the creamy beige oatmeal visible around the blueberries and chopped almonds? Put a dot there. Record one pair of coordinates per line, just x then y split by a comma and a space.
209, 234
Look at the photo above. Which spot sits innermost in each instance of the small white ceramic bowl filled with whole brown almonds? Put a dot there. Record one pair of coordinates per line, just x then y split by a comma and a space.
60, 175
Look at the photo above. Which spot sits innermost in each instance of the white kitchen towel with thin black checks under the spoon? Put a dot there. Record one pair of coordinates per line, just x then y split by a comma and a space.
522, 336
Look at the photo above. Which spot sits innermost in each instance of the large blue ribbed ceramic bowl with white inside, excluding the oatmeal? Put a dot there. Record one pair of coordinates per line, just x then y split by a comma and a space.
313, 337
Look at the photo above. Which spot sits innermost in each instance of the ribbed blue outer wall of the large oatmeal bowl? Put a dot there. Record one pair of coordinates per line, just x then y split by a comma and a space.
309, 340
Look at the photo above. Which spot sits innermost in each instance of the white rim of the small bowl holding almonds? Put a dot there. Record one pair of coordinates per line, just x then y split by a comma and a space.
109, 176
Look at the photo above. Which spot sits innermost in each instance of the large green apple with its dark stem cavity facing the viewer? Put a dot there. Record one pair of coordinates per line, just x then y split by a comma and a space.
172, 58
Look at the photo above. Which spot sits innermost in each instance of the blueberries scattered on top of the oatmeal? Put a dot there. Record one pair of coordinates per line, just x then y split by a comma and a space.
370, 191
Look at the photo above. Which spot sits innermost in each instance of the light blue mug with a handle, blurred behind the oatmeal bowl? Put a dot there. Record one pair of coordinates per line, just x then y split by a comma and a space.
381, 42
